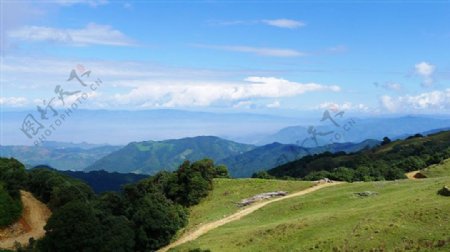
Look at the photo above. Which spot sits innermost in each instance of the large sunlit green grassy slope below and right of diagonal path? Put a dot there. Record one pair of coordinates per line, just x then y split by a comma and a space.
405, 214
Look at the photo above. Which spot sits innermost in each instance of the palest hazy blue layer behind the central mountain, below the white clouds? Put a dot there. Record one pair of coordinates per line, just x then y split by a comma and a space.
120, 127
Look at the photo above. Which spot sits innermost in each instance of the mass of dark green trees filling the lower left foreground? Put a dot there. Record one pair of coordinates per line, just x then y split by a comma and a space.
143, 216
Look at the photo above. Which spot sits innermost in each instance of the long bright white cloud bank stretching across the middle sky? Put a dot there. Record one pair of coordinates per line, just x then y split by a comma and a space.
207, 93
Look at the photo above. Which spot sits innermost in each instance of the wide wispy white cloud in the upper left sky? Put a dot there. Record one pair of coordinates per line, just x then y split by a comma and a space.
92, 34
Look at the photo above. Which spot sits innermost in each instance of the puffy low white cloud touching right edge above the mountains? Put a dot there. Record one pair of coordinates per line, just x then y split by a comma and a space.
436, 100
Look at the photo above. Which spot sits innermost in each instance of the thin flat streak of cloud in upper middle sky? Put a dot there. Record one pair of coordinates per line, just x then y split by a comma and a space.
273, 52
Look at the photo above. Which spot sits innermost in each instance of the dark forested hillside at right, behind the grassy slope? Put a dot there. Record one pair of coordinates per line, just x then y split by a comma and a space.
388, 161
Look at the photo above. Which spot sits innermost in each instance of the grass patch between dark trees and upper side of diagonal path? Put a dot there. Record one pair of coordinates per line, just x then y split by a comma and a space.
222, 200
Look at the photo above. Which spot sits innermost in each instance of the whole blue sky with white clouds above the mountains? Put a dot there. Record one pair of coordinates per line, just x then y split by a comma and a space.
371, 57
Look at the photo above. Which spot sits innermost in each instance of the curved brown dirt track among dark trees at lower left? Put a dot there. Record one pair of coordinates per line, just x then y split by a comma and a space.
31, 224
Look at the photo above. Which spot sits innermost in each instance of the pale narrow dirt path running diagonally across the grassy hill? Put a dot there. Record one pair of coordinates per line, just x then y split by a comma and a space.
236, 216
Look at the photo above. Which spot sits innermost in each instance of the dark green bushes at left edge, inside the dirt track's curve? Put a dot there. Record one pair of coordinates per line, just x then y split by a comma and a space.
10, 209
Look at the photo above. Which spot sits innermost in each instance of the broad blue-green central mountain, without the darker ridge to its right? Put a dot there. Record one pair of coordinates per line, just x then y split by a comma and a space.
150, 157
